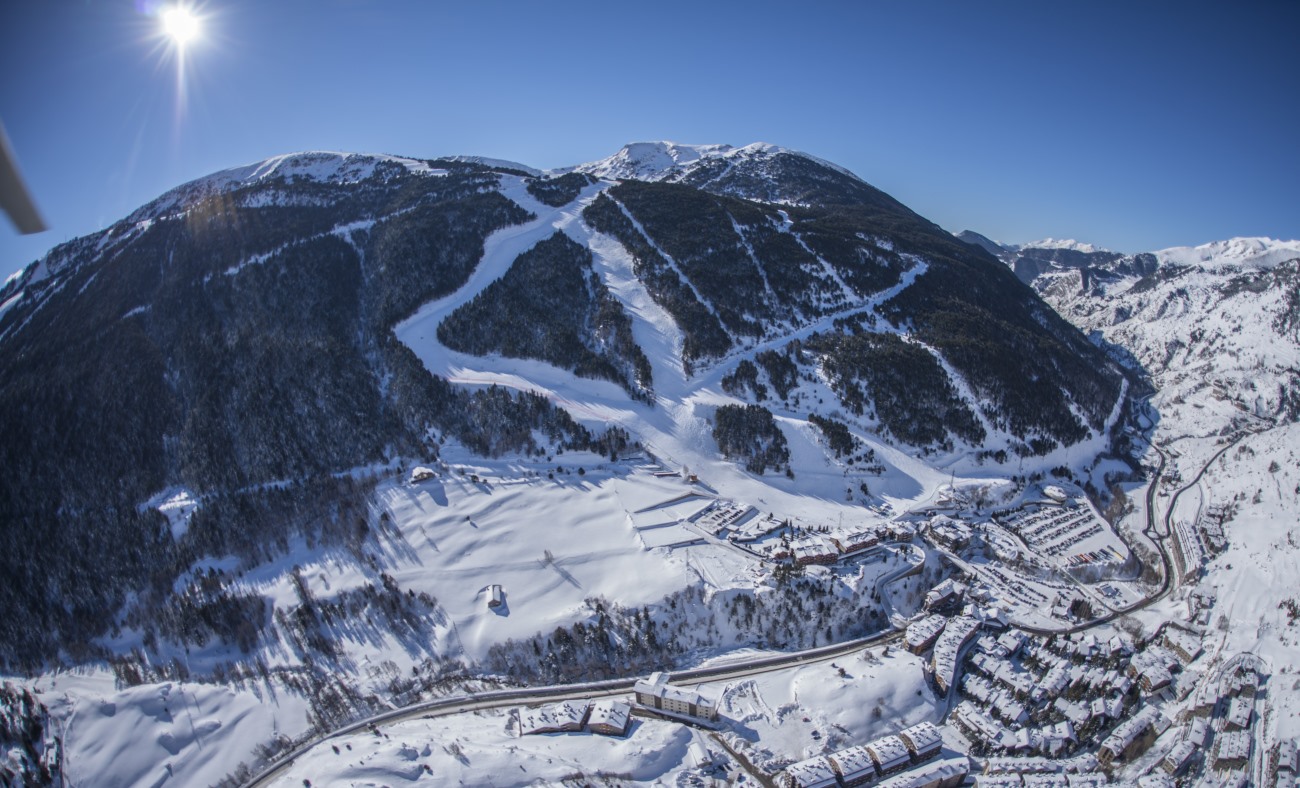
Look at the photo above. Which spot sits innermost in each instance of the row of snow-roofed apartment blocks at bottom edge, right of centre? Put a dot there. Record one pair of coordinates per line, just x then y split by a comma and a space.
869, 764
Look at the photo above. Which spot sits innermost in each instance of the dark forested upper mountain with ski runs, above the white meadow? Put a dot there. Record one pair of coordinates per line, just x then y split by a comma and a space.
248, 330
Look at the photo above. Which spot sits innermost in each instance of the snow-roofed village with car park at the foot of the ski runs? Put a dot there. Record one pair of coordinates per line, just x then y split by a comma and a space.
1030, 694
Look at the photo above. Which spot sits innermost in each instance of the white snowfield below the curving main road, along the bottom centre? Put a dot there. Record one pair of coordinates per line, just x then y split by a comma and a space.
773, 720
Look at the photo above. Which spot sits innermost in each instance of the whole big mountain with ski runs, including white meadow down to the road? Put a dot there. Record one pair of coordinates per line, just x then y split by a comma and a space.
213, 414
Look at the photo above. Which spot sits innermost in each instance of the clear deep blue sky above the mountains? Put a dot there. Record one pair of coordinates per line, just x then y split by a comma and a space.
1130, 125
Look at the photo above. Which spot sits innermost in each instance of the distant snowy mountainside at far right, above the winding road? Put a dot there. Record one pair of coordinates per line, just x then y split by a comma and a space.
1217, 327
